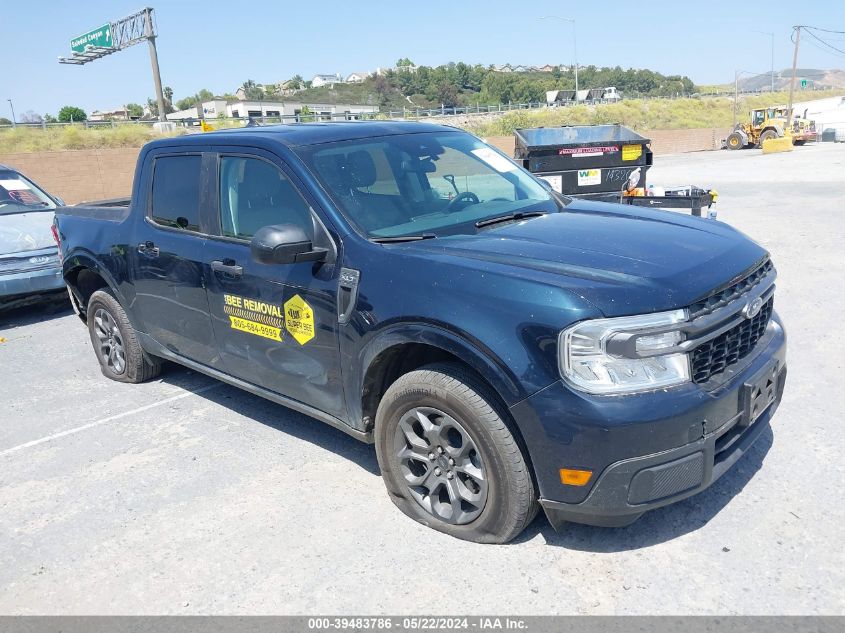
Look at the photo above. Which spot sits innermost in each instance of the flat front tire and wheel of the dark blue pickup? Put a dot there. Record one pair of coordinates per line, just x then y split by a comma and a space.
449, 389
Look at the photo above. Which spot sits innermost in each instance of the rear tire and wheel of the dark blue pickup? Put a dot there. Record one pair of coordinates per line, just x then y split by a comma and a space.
111, 333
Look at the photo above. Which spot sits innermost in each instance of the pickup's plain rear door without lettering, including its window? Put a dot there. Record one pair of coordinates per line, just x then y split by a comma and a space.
167, 256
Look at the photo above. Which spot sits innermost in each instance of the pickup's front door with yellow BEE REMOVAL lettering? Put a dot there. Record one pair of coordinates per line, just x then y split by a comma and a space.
276, 325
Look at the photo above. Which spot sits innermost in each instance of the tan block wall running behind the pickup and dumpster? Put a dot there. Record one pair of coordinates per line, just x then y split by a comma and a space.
80, 175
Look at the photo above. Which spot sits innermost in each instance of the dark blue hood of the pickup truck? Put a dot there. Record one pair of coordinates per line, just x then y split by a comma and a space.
623, 260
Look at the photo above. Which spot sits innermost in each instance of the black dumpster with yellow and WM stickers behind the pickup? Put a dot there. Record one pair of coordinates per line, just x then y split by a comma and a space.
590, 161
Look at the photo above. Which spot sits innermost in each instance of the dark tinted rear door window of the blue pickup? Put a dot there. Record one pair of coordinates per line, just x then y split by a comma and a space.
176, 192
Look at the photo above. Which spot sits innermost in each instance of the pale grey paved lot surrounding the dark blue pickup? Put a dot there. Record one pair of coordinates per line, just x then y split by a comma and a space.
186, 496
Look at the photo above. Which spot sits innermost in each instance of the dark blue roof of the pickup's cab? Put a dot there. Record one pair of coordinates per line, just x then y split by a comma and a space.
298, 134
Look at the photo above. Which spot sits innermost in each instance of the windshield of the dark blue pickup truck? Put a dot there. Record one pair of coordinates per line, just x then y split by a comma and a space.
435, 184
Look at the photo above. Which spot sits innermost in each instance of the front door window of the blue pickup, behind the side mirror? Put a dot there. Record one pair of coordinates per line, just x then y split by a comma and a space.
255, 194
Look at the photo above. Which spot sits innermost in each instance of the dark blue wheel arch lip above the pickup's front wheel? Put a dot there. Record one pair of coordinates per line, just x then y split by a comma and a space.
476, 355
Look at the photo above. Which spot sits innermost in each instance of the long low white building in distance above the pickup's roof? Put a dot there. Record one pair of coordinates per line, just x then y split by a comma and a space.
241, 109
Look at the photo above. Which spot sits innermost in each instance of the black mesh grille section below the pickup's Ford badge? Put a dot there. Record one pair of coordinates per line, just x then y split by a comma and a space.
714, 356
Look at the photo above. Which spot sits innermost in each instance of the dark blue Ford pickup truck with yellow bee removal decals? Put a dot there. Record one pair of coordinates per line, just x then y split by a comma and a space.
503, 346
